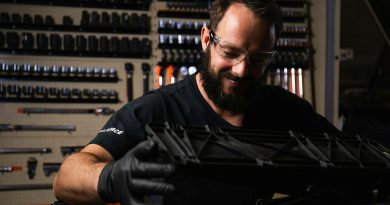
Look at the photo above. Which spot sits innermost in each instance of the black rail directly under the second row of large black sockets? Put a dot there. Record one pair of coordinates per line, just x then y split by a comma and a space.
71, 53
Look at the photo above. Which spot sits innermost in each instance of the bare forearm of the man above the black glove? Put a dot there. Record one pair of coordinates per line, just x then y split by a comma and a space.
77, 179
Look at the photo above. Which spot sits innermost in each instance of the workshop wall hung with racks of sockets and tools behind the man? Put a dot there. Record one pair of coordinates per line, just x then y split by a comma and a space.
173, 38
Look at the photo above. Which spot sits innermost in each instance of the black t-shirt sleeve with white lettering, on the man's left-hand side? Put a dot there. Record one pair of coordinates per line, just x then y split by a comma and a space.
125, 128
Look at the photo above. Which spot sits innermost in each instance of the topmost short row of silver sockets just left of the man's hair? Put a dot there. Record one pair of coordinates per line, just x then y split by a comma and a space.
169, 26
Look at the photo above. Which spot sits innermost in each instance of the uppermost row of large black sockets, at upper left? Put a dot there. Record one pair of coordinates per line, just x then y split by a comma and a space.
90, 22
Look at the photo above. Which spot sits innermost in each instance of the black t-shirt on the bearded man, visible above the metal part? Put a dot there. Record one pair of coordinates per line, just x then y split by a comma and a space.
182, 102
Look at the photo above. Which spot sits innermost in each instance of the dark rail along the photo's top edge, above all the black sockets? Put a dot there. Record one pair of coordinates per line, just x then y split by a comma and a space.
131, 5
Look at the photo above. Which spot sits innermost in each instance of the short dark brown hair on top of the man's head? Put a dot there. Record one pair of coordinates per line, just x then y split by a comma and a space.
266, 9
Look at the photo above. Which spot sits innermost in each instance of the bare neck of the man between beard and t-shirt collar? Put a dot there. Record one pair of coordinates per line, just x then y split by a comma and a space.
231, 117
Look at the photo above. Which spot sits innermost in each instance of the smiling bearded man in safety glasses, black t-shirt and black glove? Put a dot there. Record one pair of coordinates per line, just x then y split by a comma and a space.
227, 92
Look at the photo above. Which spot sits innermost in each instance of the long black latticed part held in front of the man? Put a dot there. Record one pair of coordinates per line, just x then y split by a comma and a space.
298, 164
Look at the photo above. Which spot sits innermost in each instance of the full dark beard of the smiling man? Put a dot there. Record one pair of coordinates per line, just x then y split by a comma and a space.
241, 97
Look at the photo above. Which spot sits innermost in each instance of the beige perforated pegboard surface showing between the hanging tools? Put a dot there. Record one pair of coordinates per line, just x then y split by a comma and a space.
87, 125
